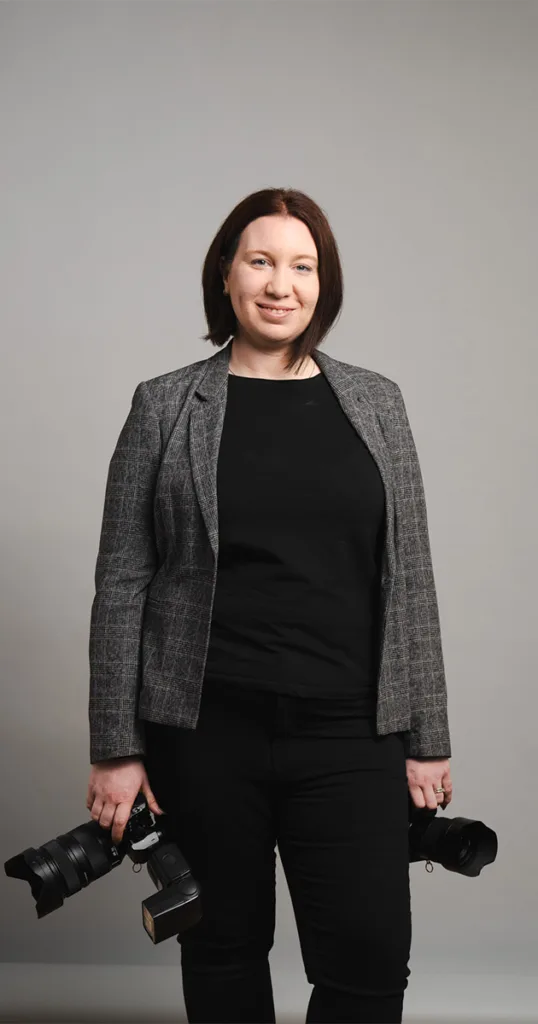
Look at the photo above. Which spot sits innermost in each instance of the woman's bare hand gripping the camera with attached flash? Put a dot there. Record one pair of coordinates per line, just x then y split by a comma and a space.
113, 788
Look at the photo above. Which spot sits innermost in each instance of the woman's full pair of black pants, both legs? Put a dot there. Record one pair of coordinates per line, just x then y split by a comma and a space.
262, 770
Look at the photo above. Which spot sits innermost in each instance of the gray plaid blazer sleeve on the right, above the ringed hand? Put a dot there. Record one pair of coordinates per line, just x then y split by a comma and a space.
430, 735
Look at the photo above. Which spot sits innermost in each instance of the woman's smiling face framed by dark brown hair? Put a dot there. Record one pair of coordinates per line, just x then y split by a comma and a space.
276, 265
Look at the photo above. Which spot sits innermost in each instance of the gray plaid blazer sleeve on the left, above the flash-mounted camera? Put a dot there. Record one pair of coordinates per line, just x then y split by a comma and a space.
128, 562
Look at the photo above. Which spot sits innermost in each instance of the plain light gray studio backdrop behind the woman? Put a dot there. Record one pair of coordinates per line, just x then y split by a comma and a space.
129, 133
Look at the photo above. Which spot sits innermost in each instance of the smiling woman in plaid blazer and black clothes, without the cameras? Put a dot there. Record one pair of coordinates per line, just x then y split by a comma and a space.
297, 697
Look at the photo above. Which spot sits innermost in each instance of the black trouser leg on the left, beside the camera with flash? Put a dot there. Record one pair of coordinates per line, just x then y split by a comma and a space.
215, 785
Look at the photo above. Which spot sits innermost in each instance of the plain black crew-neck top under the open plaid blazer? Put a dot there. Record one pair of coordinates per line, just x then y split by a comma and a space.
302, 529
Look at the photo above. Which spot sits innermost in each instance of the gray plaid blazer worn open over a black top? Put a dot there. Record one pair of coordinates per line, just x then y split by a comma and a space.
156, 568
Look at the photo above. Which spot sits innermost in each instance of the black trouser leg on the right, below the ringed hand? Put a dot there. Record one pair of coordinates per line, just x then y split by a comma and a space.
343, 838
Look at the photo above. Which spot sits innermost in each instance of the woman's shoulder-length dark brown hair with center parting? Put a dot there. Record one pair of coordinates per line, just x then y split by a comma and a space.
220, 314
